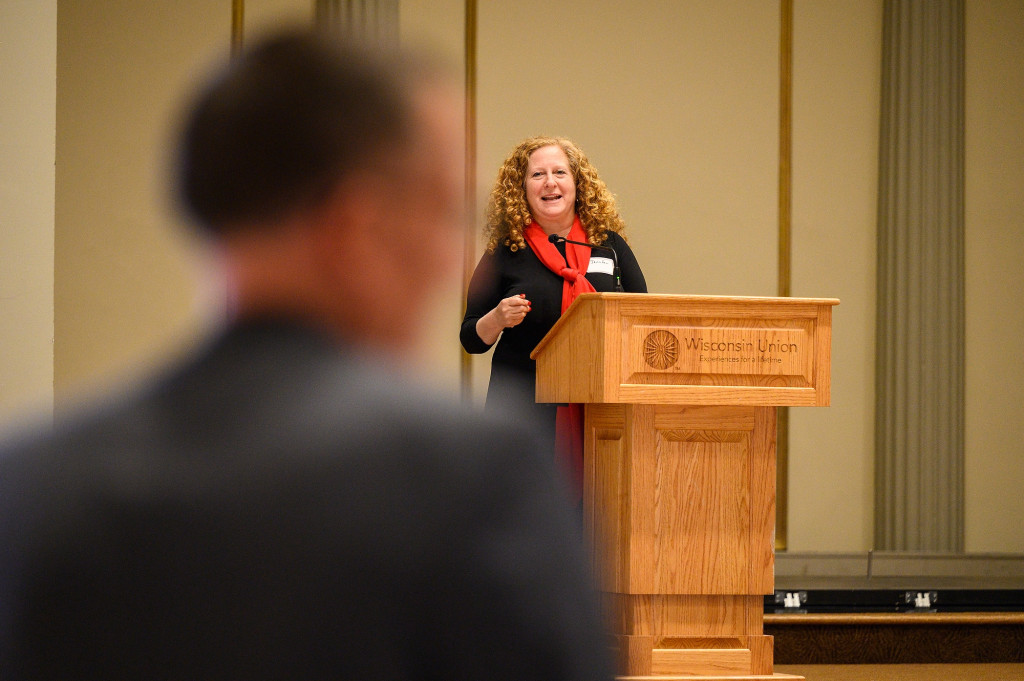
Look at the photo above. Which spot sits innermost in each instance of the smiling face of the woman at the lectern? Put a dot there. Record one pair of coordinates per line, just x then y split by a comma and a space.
550, 190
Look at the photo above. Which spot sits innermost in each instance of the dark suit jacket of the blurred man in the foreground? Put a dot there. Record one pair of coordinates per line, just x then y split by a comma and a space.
277, 509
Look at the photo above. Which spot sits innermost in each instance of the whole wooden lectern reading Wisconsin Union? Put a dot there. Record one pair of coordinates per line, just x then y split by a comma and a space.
679, 464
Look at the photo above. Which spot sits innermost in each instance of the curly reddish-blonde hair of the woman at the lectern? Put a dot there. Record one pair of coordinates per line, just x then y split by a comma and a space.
508, 214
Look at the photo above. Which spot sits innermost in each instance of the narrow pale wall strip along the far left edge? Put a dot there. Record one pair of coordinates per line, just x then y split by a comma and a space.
28, 56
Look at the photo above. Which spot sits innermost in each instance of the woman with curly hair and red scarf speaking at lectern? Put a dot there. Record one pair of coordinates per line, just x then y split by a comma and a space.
547, 195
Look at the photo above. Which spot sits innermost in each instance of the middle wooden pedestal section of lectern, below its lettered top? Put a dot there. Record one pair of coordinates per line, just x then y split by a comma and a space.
682, 497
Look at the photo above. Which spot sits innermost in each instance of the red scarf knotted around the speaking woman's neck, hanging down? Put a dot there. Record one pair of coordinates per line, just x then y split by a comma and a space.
569, 421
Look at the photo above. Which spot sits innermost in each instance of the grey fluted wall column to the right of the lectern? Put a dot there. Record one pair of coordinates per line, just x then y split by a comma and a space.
921, 318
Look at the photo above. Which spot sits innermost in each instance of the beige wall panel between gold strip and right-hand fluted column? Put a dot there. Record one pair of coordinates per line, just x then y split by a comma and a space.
836, 104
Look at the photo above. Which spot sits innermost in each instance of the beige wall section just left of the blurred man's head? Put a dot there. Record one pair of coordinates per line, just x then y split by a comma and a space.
124, 287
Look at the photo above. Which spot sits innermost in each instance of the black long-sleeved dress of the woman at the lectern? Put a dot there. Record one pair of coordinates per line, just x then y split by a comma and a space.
504, 274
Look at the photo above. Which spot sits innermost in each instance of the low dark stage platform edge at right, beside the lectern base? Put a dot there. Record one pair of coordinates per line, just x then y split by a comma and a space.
898, 609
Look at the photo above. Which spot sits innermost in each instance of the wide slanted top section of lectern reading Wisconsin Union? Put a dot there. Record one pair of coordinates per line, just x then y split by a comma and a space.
689, 350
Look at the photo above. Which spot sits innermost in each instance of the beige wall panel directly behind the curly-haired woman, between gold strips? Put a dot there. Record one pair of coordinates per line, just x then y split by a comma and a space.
675, 104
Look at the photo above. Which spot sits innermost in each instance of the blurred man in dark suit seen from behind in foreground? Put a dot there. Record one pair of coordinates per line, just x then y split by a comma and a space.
282, 505
